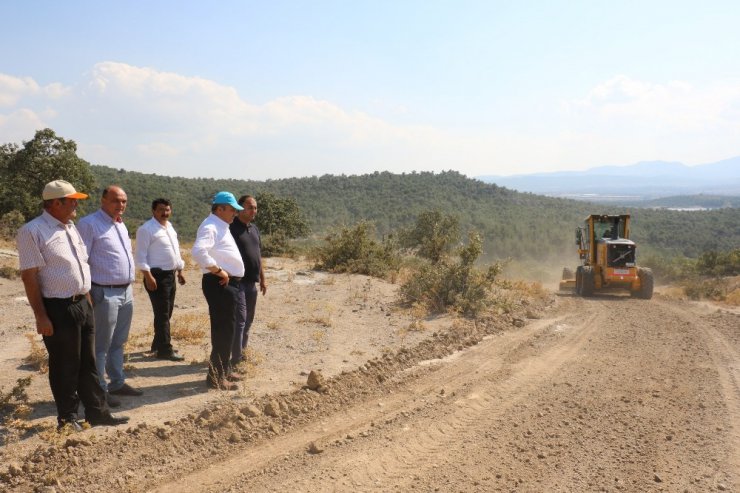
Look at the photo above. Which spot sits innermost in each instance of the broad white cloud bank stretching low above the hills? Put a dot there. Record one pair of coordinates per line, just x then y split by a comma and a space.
142, 119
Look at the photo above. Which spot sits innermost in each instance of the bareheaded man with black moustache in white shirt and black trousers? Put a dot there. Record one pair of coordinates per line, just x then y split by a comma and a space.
158, 258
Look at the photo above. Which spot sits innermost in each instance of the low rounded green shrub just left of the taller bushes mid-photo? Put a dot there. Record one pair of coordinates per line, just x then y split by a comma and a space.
355, 250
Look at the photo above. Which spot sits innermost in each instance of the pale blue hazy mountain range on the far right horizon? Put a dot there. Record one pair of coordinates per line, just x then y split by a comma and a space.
645, 180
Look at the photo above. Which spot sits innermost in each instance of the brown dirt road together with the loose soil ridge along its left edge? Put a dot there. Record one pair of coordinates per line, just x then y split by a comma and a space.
602, 394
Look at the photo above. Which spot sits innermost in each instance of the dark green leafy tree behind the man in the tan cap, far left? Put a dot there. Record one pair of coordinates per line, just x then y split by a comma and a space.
24, 171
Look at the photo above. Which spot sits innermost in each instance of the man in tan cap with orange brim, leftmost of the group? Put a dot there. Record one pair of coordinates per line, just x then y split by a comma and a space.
56, 276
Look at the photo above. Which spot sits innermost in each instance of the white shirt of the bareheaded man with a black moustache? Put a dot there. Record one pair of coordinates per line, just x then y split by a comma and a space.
157, 247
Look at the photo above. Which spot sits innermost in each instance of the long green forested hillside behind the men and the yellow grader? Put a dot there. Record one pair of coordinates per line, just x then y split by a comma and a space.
513, 224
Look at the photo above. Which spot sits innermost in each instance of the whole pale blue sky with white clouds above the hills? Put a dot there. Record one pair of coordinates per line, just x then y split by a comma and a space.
275, 89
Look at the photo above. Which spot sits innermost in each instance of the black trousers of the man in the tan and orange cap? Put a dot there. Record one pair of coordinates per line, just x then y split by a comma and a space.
73, 376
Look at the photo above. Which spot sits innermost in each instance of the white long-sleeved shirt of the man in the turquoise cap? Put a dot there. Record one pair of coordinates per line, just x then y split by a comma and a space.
214, 246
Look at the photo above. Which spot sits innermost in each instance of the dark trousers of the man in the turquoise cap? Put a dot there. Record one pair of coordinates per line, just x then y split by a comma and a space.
222, 302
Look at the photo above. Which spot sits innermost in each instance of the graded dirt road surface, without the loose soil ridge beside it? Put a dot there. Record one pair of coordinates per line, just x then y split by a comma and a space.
607, 394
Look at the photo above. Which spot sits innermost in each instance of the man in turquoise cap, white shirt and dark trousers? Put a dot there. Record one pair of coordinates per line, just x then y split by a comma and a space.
218, 257
